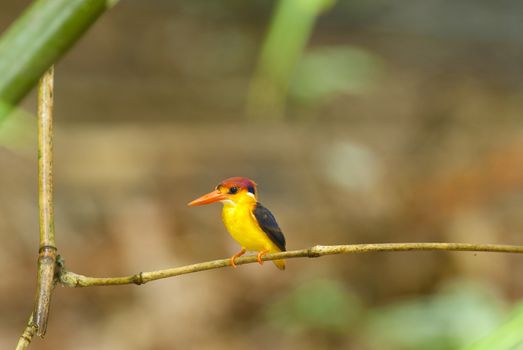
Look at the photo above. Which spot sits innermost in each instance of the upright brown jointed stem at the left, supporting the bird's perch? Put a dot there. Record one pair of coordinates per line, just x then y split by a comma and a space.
47, 252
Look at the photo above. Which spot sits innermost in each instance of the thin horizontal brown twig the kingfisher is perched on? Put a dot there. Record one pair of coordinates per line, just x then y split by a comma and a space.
71, 279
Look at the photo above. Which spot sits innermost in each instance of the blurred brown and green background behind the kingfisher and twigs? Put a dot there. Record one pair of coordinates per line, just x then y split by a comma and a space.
361, 122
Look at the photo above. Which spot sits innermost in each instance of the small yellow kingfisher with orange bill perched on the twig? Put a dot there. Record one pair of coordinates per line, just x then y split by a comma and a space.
249, 223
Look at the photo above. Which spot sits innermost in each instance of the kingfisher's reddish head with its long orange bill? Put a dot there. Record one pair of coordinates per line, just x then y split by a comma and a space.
235, 189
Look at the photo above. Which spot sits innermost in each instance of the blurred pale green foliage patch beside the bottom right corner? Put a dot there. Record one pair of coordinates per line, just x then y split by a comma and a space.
458, 314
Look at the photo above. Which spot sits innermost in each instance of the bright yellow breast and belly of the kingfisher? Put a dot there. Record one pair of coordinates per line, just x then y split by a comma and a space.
242, 226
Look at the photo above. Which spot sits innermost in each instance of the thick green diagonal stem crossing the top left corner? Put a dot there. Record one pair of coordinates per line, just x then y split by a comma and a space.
37, 40
